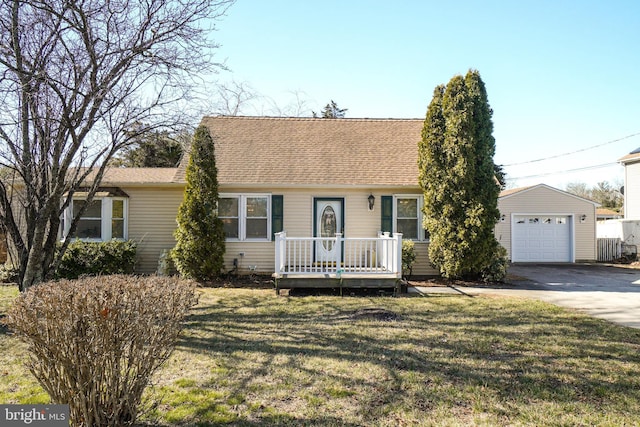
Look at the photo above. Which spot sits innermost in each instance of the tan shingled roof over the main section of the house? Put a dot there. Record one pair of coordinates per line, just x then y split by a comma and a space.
310, 152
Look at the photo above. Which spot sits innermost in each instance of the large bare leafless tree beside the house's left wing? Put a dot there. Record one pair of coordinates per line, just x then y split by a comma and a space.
74, 75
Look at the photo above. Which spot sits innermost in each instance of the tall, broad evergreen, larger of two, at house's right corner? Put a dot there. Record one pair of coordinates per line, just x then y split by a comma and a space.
457, 175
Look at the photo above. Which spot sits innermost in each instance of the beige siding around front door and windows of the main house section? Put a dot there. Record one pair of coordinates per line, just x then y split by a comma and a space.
298, 222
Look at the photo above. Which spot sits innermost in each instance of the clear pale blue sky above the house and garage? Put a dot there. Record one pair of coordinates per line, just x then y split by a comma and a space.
561, 76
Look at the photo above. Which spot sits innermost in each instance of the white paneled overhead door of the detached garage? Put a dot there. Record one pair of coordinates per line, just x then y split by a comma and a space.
541, 238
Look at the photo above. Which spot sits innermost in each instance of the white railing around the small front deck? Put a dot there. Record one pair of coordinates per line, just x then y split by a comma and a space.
380, 255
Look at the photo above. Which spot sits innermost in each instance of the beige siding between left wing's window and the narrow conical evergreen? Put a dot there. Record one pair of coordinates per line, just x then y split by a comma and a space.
152, 221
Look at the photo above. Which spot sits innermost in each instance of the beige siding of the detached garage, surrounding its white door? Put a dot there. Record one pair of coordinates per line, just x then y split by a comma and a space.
544, 200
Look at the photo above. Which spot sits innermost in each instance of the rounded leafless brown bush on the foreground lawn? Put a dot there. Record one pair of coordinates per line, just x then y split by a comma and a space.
94, 343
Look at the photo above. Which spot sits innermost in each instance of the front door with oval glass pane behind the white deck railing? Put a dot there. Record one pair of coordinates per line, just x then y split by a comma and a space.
328, 220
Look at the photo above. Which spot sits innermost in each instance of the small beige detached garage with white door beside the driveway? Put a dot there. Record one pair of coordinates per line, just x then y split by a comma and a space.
544, 224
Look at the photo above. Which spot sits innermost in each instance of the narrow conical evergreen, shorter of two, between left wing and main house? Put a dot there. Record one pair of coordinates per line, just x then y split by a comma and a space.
200, 246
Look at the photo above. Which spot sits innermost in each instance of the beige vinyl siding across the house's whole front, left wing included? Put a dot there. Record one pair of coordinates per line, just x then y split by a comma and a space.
152, 221
